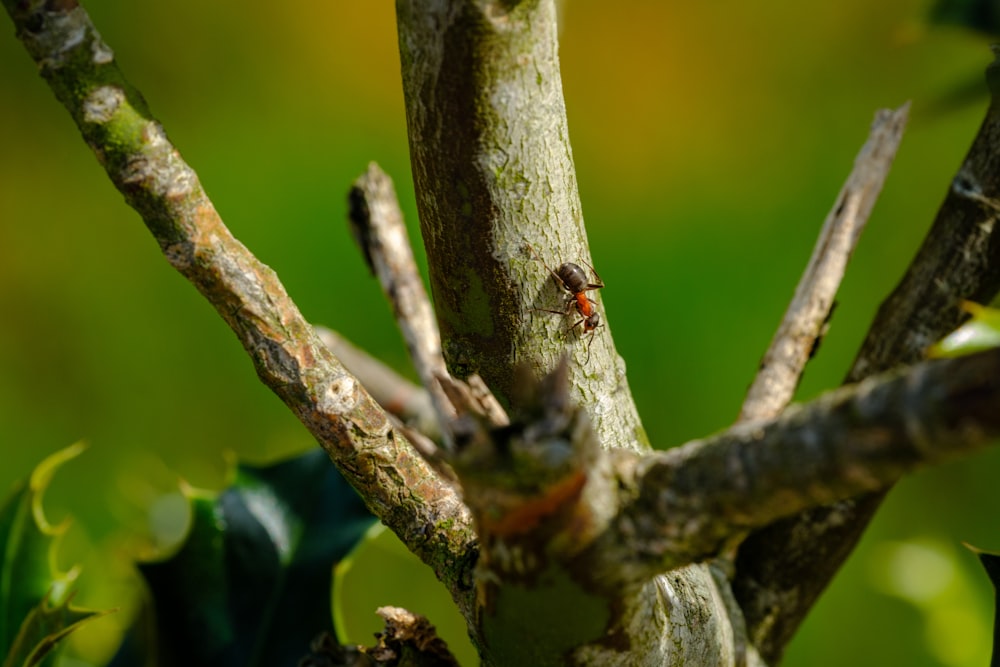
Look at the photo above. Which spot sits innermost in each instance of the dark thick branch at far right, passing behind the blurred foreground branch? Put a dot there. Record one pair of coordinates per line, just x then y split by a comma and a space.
782, 569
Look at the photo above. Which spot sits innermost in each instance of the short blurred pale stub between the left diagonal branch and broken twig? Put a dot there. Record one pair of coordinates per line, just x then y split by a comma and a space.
397, 395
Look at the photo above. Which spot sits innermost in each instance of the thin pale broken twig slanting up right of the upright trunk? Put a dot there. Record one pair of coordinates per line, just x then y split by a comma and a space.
809, 312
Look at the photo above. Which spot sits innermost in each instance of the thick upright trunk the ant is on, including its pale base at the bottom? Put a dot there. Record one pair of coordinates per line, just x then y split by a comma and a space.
493, 173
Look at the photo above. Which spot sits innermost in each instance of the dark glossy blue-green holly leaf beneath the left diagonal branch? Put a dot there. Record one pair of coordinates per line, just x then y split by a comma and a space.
252, 582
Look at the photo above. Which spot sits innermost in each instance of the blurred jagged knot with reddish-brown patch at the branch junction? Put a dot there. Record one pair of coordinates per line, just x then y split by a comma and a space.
524, 478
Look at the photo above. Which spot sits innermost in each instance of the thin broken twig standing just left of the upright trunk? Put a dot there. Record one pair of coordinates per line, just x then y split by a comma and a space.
377, 223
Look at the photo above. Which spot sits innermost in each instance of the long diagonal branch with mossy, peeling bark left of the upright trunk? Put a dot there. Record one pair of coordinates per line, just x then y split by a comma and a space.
395, 482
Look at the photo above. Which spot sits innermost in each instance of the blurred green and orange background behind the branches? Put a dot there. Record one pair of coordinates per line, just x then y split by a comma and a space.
710, 141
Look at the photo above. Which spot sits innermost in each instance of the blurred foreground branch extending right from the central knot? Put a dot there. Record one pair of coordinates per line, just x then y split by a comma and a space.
684, 504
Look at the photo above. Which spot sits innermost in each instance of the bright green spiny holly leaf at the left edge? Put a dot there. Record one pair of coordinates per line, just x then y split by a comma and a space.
34, 594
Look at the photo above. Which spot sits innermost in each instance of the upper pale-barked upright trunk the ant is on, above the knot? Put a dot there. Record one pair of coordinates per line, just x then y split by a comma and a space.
493, 171
